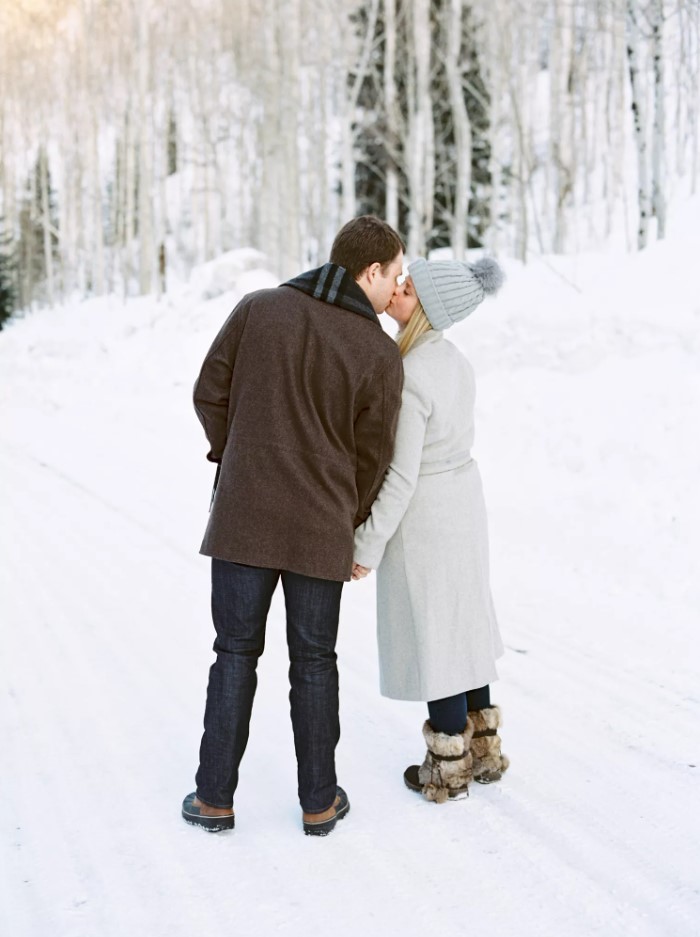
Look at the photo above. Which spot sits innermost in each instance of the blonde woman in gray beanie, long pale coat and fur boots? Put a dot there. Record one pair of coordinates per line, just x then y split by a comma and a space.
427, 537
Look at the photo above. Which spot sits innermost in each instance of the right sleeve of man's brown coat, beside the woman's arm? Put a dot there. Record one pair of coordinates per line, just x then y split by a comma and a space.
375, 433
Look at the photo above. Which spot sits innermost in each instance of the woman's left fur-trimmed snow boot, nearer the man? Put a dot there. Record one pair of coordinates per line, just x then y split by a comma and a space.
447, 769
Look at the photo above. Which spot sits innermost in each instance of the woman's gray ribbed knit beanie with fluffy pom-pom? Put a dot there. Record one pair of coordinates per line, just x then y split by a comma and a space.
449, 290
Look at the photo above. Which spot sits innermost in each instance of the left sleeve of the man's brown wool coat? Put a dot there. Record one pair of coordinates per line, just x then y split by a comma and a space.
212, 390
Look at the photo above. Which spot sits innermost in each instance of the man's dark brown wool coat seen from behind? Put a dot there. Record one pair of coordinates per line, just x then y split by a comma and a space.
299, 400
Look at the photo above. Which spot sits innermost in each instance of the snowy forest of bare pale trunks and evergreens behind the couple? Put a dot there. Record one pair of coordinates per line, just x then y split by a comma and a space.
138, 139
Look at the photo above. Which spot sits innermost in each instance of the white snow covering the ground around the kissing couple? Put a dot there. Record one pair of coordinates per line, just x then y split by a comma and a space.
588, 390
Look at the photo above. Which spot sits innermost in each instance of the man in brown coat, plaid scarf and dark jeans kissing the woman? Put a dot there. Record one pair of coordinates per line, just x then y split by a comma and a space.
299, 398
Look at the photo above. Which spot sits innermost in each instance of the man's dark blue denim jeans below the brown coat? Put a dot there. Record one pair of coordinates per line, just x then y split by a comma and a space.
241, 597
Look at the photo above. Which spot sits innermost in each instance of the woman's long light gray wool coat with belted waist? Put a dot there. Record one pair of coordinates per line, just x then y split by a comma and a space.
427, 538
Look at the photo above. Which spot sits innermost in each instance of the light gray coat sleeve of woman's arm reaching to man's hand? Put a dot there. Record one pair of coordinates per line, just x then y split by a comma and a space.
400, 481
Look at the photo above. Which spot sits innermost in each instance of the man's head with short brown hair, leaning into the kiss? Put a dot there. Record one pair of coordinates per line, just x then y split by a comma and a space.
372, 253
